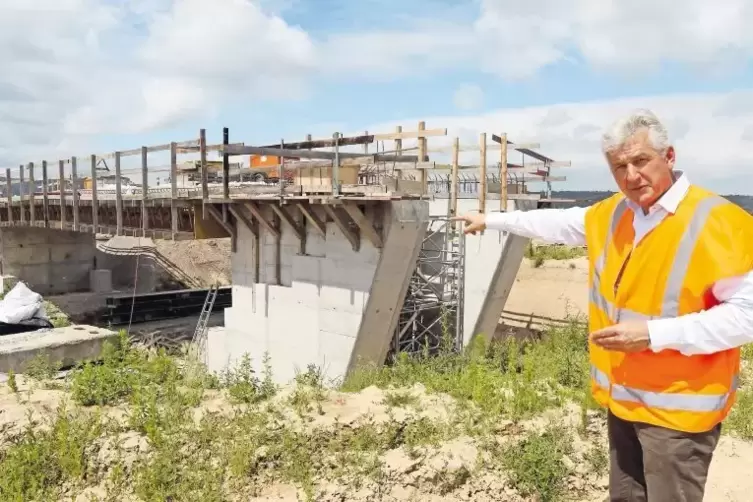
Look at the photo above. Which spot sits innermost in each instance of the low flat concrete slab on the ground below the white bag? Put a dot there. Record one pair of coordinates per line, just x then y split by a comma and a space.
69, 346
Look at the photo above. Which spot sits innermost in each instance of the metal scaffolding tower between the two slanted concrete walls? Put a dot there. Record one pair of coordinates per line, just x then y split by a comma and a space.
432, 313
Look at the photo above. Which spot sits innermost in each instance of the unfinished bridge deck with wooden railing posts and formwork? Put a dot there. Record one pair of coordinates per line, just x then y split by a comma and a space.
207, 209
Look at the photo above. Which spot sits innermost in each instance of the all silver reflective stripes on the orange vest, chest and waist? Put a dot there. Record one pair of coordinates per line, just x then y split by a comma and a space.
670, 308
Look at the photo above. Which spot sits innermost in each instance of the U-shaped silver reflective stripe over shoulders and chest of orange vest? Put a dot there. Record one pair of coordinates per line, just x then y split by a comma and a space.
671, 301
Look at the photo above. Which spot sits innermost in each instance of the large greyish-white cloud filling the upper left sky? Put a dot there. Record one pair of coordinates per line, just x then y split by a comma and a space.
77, 69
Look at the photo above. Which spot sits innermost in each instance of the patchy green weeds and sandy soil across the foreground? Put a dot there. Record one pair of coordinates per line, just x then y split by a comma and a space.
142, 424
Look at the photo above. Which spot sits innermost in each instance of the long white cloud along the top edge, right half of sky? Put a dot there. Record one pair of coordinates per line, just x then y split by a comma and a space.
514, 40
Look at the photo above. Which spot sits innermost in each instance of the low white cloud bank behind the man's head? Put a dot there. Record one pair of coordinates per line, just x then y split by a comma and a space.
713, 149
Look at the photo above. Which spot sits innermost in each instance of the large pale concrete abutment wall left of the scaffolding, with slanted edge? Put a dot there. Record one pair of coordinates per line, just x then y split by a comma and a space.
331, 305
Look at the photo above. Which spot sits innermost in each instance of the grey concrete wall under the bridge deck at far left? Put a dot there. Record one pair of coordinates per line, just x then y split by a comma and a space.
49, 261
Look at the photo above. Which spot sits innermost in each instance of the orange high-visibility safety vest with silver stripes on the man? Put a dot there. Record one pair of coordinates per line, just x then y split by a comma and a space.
666, 275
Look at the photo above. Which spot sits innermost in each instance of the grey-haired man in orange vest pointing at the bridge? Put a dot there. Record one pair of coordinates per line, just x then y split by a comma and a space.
664, 357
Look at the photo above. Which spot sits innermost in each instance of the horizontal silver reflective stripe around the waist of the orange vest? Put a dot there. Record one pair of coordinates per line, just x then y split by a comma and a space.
684, 402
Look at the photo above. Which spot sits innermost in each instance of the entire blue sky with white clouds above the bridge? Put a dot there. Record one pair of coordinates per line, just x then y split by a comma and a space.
94, 76
